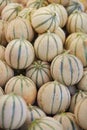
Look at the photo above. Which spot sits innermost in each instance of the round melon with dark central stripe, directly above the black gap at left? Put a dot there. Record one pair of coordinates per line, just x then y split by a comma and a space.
19, 53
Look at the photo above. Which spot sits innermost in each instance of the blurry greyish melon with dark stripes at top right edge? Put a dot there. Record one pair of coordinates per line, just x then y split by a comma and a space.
74, 6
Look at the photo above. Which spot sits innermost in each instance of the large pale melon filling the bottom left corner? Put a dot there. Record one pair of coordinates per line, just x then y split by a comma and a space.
20, 109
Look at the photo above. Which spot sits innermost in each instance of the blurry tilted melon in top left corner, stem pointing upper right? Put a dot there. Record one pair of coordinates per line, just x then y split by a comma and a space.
11, 11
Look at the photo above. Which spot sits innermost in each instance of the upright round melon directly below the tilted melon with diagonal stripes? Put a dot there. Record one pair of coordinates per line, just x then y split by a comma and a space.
50, 43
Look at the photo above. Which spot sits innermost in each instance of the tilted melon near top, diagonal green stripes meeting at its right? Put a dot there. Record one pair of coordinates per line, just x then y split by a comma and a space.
45, 19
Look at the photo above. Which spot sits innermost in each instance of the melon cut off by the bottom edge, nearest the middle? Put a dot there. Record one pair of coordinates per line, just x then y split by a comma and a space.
45, 123
